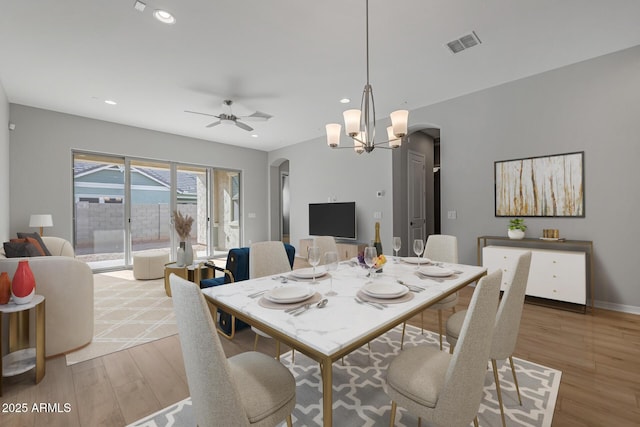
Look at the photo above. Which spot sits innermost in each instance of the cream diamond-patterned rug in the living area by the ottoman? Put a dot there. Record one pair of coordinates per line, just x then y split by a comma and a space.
127, 312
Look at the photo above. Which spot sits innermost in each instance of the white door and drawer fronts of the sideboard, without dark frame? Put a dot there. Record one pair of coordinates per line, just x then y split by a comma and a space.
554, 275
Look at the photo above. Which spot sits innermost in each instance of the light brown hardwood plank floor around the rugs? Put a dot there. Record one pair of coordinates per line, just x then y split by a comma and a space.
599, 356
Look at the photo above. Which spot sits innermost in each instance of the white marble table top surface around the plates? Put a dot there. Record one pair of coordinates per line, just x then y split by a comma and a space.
343, 323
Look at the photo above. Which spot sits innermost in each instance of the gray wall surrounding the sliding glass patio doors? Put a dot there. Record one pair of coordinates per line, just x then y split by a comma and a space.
41, 164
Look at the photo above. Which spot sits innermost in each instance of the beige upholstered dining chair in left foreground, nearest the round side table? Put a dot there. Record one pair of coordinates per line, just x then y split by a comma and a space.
249, 389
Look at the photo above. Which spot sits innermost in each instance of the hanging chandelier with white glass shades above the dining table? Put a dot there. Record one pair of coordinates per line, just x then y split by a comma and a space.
360, 125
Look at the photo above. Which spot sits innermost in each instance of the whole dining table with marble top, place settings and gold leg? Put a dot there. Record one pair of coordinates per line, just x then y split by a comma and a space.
366, 304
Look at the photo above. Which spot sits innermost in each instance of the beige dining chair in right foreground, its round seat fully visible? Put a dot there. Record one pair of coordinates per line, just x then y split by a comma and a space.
445, 389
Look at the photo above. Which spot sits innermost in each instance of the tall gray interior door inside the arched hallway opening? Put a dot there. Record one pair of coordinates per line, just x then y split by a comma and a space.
416, 198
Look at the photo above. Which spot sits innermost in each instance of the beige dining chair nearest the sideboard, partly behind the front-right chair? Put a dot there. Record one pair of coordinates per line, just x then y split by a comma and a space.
506, 327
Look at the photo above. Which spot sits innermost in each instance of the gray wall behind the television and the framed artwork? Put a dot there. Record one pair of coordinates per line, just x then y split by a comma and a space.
591, 106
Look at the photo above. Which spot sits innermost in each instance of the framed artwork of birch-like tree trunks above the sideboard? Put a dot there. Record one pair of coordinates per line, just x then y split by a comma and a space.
546, 186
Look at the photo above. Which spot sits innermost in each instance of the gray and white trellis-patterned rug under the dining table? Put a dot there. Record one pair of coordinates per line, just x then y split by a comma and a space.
359, 398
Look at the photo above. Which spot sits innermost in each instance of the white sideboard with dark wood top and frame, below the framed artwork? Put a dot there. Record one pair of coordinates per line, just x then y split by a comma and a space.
561, 272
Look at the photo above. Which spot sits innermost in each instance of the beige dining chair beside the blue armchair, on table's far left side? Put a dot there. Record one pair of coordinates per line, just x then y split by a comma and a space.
265, 259
